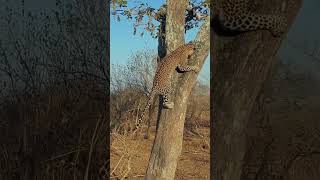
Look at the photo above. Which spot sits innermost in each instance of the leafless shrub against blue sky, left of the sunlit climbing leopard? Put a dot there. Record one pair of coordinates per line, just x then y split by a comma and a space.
129, 85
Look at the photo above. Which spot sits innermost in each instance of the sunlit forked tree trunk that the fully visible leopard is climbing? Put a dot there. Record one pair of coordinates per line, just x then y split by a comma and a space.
168, 141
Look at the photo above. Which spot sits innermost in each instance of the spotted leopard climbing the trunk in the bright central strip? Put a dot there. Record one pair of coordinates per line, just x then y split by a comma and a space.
165, 69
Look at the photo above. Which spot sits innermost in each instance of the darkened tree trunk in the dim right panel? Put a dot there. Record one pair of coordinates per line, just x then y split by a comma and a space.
240, 66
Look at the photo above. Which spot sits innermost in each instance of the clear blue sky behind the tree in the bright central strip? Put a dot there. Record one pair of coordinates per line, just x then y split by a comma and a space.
123, 43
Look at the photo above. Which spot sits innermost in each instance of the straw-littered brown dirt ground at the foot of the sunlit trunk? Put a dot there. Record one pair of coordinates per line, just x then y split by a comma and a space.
130, 157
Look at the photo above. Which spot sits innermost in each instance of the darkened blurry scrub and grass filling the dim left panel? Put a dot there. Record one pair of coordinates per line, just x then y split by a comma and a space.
53, 92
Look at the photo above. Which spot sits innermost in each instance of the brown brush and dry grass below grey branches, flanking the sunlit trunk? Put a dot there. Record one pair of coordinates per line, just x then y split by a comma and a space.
130, 154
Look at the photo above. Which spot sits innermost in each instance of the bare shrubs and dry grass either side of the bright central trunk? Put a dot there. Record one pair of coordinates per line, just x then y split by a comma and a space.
130, 155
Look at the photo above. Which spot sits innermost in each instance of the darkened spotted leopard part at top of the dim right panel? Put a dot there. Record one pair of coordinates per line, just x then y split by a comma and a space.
234, 15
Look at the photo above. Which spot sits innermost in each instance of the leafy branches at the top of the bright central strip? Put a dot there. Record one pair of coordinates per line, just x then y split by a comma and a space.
149, 18
